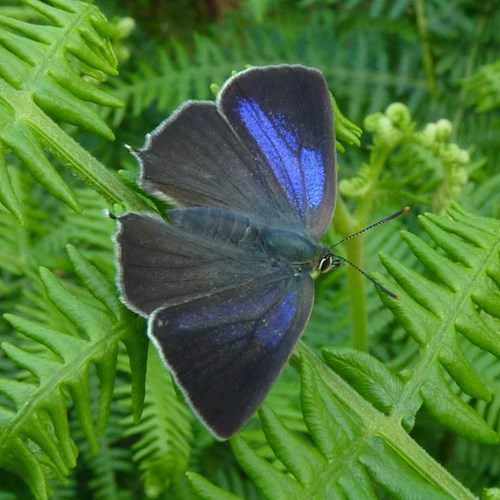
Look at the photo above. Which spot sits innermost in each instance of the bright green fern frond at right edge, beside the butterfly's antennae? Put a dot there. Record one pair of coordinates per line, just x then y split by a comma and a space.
455, 300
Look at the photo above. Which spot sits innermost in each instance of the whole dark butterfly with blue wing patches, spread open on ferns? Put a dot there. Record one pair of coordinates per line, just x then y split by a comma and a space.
226, 282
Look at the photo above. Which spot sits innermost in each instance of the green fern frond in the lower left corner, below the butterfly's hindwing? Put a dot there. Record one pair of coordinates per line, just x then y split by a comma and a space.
35, 441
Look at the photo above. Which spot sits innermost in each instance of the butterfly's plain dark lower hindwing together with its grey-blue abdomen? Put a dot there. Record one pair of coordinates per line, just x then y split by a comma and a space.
161, 264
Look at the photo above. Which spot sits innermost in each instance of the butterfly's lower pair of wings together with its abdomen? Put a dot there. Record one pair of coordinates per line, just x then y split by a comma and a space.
223, 316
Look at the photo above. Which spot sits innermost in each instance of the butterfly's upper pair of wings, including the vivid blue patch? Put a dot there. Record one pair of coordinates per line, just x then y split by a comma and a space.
265, 149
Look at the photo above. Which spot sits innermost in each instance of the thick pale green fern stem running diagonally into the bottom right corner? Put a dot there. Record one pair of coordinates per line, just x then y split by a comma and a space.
384, 427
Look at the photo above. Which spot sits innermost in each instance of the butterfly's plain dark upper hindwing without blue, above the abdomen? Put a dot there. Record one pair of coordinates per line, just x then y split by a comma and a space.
195, 159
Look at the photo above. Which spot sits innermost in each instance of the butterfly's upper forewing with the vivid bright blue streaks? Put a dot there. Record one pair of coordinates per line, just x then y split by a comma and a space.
284, 116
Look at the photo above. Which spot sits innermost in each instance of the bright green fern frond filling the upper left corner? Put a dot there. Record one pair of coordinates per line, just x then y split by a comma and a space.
49, 71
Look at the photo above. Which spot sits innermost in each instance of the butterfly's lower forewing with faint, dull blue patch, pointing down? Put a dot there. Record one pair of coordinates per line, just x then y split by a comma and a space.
226, 350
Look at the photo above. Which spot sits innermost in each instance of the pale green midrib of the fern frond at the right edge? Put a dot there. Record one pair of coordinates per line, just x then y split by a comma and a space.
410, 399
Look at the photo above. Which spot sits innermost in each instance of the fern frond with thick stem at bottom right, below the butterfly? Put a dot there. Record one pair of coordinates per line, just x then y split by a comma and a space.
353, 452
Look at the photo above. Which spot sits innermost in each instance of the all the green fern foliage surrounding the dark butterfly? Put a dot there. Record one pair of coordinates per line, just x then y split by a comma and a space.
383, 399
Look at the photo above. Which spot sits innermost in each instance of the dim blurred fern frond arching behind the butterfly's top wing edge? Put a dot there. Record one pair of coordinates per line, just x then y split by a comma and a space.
178, 75
